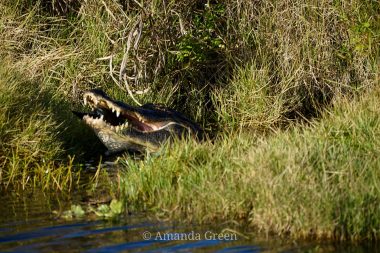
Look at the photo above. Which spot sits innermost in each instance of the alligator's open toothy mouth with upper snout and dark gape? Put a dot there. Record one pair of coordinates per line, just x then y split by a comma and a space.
115, 115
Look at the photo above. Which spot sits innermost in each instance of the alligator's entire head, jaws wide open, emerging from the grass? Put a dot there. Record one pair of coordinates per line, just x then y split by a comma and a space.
123, 127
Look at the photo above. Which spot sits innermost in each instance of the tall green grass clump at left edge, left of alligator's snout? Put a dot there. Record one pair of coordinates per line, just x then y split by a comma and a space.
30, 150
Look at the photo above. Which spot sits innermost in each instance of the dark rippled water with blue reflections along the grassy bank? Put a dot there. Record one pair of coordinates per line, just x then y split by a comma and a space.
28, 224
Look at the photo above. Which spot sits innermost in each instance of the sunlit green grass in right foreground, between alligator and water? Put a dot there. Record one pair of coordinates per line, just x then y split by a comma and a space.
317, 180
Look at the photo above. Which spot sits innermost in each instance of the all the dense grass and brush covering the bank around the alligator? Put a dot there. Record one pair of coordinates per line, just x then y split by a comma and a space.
287, 91
